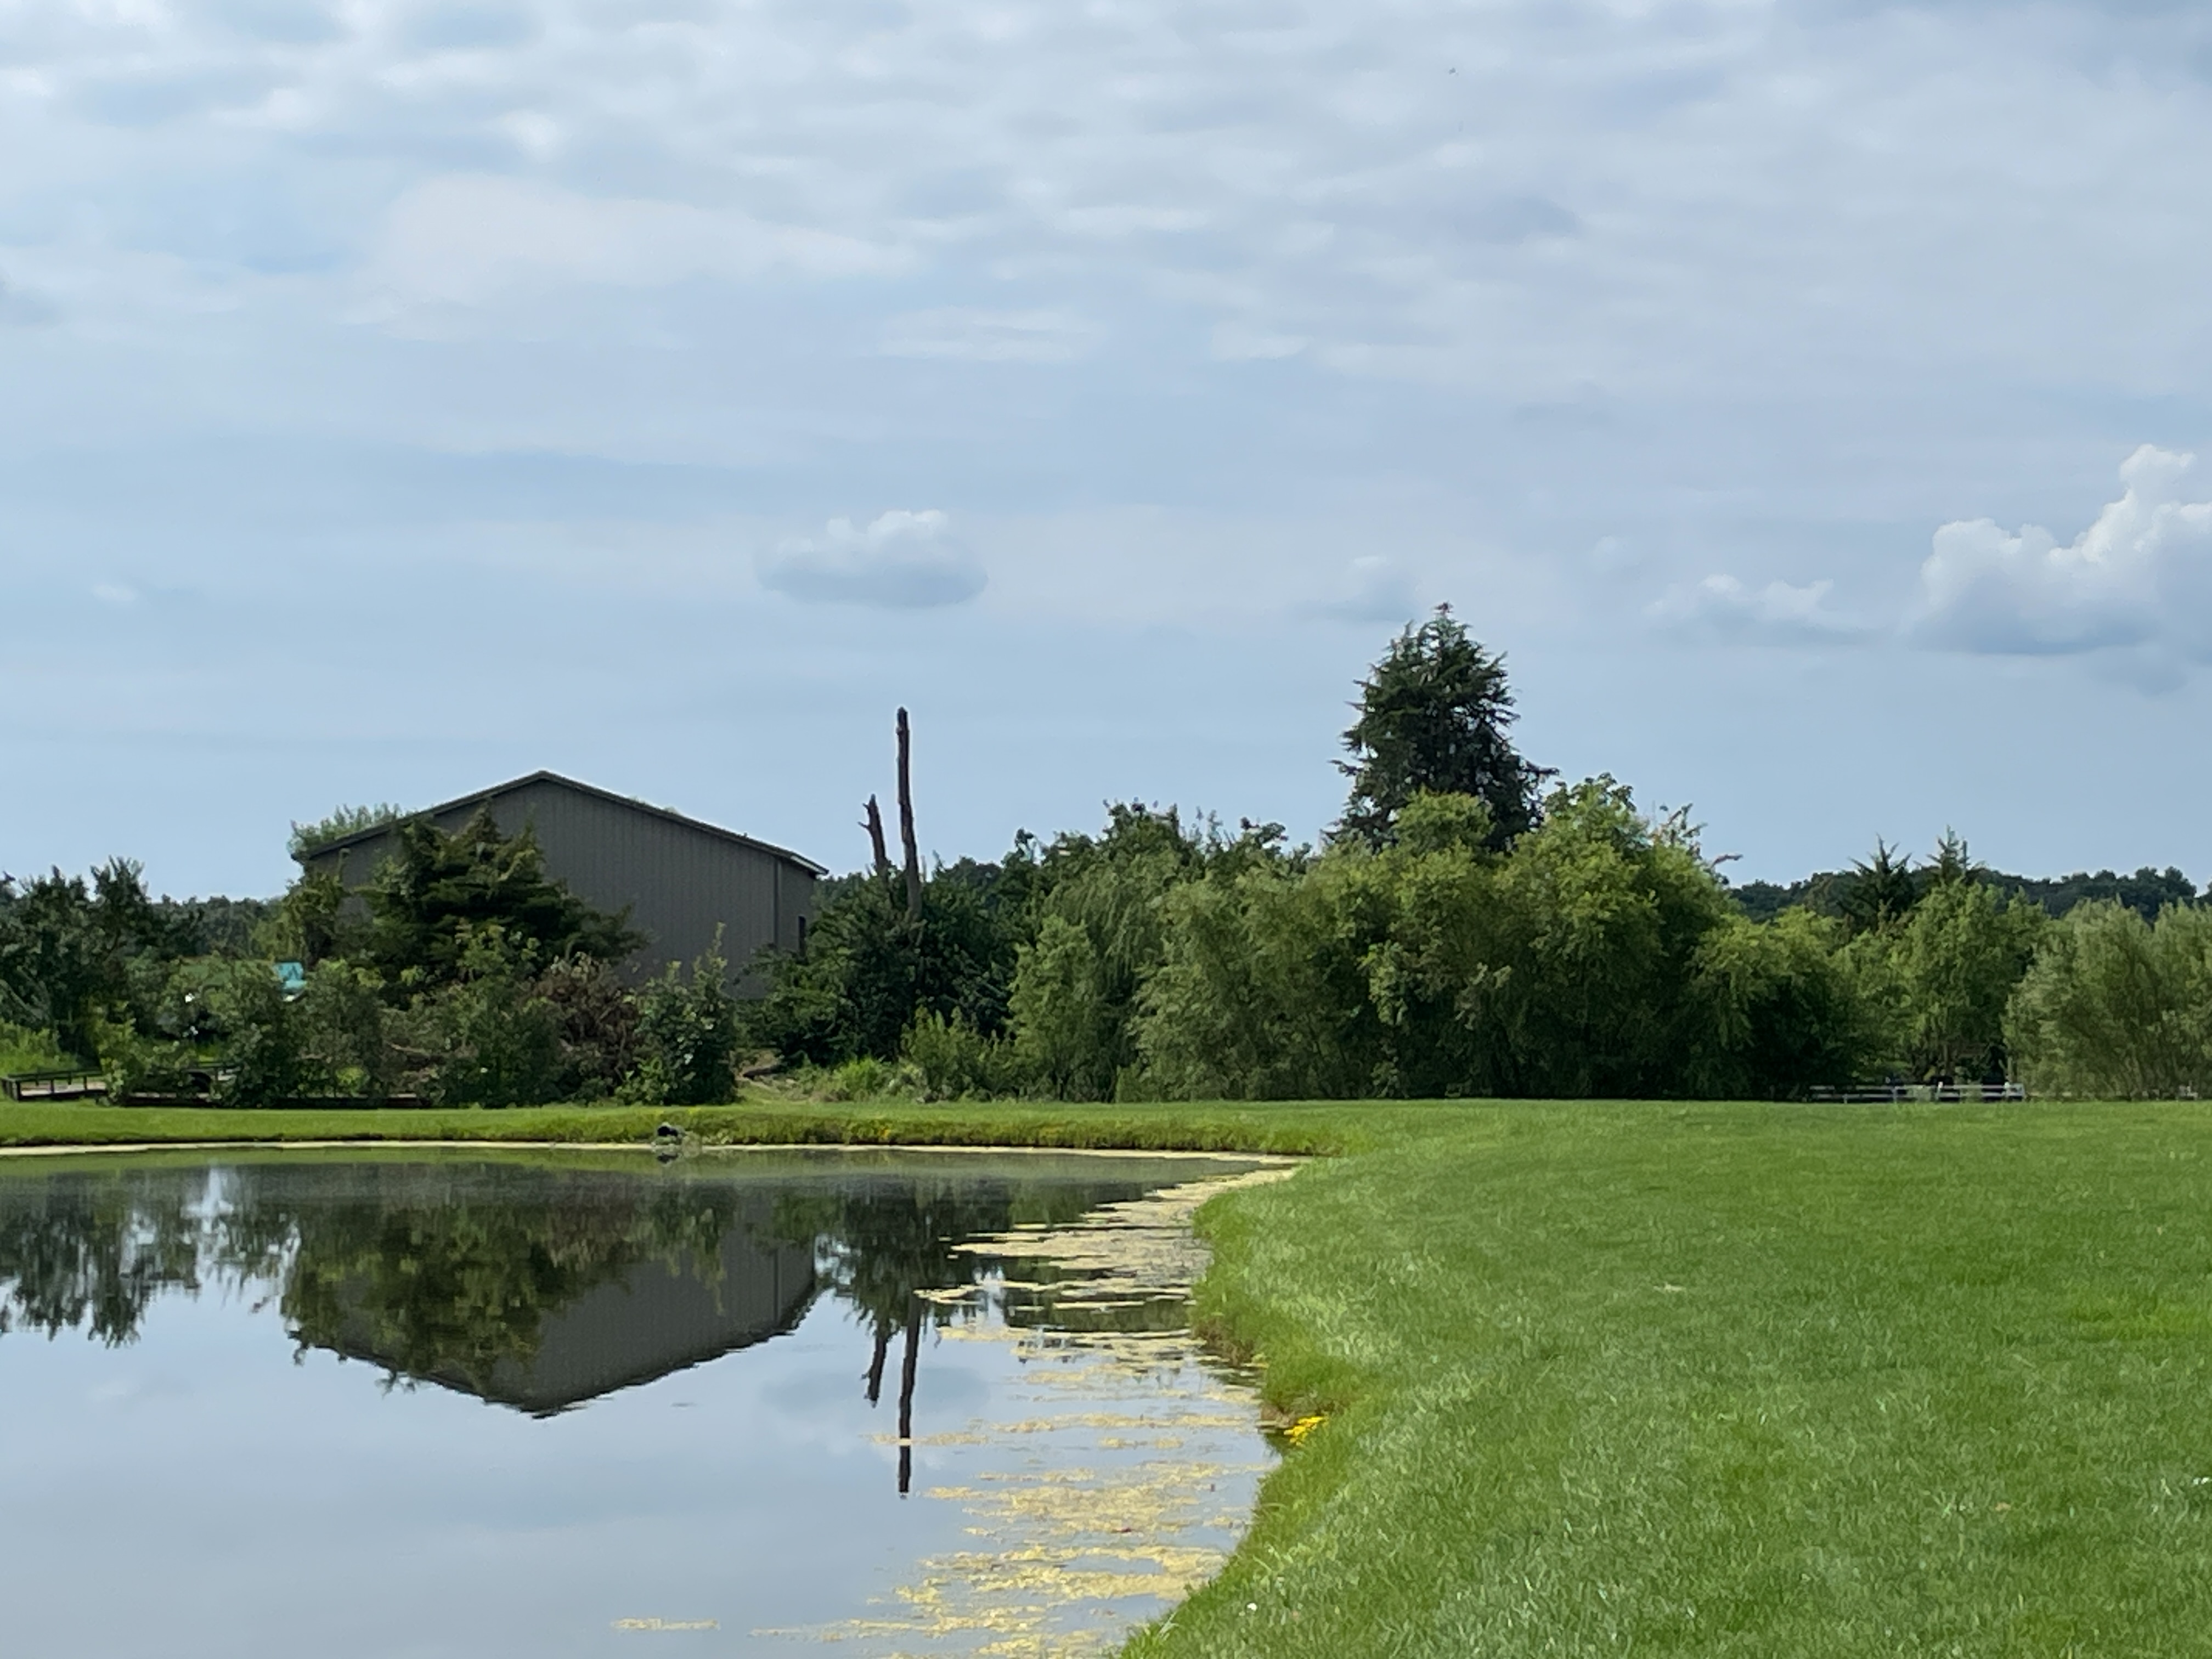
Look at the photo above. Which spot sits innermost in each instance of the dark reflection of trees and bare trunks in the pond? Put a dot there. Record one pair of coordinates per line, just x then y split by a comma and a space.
452, 1271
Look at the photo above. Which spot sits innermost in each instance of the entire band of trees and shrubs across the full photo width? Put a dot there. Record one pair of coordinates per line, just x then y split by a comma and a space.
1472, 926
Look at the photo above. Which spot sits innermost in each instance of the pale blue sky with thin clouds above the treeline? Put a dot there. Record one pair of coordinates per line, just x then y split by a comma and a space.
404, 397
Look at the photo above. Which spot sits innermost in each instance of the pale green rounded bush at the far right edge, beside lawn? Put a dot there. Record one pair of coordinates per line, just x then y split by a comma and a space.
2118, 1008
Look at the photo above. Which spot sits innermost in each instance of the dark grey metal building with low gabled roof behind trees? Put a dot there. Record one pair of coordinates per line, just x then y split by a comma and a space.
678, 877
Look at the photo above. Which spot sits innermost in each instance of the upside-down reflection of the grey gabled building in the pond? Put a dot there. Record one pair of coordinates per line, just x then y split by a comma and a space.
643, 1324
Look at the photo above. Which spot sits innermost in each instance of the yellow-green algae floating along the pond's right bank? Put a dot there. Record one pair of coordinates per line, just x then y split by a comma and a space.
1074, 1550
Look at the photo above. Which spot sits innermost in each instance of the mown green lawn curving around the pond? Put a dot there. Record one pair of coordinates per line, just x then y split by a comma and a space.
1667, 1379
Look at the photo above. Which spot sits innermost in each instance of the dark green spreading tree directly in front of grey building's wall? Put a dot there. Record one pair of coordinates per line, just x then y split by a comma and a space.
439, 893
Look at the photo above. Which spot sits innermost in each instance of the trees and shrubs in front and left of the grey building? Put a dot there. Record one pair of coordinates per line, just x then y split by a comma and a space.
459, 977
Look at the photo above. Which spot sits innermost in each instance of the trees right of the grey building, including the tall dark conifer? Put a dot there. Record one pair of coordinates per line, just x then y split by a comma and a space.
1474, 930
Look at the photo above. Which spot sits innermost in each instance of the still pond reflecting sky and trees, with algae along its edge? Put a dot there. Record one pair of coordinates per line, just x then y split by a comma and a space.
435, 1404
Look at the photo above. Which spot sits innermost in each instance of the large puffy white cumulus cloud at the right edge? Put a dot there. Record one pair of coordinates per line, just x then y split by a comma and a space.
2138, 578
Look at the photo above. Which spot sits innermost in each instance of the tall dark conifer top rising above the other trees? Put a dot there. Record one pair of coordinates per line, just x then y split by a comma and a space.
1434, 718
